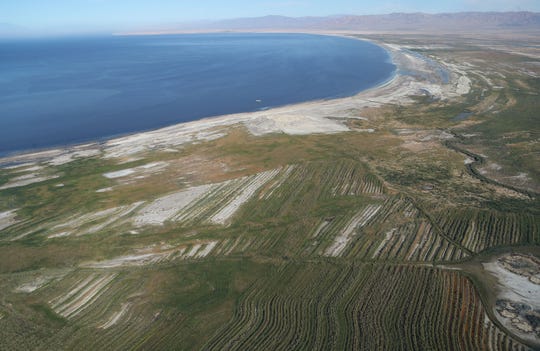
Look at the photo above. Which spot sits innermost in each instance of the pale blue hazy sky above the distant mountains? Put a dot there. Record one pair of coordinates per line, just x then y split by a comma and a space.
111, 15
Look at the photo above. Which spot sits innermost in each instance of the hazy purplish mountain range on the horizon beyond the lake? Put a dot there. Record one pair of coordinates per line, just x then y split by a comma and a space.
465, 21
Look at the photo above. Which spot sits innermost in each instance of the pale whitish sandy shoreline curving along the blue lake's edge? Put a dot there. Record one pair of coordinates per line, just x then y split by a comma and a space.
307, 117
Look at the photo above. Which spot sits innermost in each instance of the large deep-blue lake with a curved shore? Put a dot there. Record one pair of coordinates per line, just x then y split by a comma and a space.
66, 91
